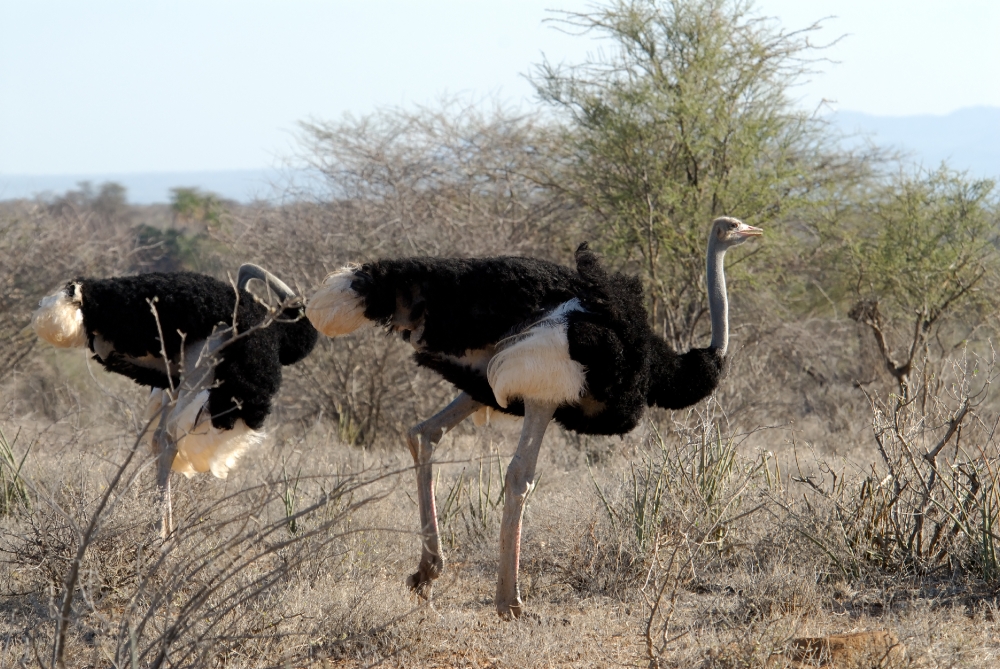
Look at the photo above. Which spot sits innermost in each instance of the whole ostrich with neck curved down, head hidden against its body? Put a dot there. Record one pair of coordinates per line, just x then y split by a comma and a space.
212, 383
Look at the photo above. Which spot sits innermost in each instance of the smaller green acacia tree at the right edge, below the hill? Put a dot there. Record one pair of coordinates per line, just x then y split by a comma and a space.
921, 250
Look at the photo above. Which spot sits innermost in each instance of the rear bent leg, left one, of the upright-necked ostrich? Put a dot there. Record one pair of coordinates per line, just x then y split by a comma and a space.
421, 440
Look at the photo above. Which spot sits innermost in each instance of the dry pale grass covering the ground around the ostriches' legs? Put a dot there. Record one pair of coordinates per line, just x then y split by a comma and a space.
721, 575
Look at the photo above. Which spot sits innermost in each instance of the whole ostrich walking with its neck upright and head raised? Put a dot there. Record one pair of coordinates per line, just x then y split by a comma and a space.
533, 338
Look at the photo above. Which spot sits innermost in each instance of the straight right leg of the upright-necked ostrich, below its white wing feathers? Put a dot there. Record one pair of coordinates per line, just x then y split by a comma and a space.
517, 484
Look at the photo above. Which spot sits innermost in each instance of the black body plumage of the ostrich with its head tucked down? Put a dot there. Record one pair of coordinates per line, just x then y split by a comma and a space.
117, 311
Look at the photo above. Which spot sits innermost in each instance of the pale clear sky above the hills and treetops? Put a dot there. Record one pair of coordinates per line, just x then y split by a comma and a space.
100, 86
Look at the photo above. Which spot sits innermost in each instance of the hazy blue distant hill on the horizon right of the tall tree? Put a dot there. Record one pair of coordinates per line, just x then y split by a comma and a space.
968, 139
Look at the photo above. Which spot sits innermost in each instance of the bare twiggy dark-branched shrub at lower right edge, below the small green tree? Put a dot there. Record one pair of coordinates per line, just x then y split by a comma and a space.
928, 504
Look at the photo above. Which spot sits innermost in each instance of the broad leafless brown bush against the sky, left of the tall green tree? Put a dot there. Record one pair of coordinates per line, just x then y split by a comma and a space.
454, 180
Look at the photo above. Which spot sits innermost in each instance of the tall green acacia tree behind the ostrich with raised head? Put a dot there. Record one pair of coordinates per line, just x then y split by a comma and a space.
686, 117
